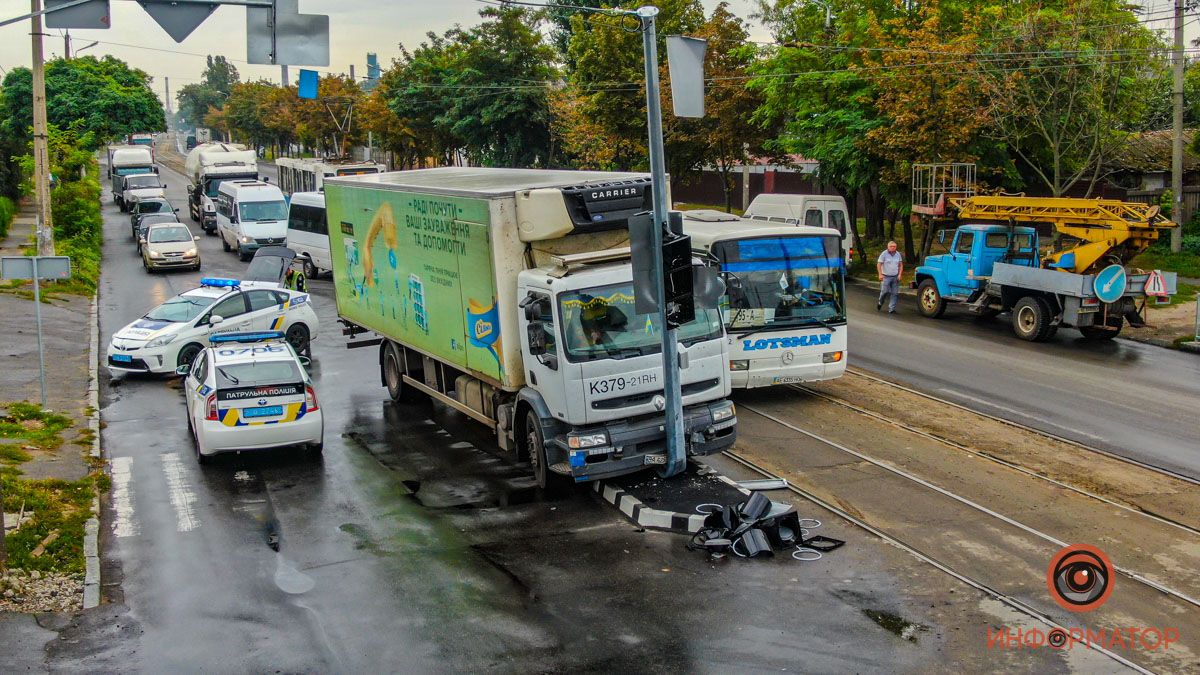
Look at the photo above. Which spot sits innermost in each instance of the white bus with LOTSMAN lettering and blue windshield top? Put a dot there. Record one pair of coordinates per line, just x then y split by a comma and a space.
785, 302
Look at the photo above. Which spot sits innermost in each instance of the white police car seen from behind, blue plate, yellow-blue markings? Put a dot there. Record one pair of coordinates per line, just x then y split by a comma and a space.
250, 392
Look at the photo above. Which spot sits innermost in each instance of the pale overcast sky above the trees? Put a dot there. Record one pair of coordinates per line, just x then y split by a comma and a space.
357, 27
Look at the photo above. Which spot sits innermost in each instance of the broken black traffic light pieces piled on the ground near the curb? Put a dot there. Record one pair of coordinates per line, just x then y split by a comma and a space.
758, 528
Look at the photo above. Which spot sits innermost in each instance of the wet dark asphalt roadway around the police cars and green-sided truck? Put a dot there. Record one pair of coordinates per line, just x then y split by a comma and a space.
413, 547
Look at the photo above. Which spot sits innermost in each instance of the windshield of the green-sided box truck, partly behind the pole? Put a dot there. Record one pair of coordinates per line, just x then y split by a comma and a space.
602, 324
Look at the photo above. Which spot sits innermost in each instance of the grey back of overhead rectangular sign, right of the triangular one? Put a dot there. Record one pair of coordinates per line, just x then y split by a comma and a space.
285, 37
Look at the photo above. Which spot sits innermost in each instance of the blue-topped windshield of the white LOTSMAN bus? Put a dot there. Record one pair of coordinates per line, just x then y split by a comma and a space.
782, 283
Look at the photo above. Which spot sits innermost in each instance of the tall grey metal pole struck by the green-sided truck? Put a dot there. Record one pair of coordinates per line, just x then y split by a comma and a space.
677, 456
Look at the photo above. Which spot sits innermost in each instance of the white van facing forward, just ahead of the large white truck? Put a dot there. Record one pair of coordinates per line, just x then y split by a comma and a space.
251, 214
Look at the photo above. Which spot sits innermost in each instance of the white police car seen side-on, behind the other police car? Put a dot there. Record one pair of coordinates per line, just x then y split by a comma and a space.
173, 333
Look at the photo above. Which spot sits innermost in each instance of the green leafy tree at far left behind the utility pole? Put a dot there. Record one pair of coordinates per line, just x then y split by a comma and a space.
104, 97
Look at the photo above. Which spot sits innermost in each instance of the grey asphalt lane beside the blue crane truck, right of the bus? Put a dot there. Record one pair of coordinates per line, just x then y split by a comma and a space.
1127, 398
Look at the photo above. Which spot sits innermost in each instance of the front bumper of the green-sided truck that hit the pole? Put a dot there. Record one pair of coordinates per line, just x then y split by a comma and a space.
639, 444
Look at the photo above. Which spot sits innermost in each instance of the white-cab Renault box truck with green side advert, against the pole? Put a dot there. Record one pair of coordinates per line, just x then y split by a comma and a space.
508, 296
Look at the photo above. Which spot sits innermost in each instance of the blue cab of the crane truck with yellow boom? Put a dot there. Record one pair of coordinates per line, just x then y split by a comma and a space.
974, 253
